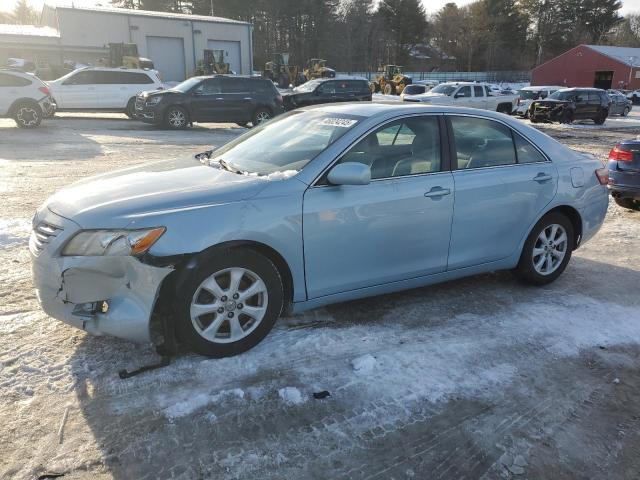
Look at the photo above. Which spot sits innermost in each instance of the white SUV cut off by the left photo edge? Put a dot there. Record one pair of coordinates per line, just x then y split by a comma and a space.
25, 98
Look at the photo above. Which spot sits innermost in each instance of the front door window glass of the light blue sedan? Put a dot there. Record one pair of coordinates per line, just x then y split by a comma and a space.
405, 147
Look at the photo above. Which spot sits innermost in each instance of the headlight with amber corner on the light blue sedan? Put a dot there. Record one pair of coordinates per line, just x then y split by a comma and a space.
112, 242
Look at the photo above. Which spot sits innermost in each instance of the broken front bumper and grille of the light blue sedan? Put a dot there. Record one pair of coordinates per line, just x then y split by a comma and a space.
110, 295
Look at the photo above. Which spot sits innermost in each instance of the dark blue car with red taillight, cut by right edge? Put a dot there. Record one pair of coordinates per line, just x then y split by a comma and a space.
624, 174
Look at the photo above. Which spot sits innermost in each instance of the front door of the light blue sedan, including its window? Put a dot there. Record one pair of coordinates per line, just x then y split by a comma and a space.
396, 227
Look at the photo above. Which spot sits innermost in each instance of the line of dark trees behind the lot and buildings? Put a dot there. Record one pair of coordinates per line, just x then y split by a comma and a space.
360, 35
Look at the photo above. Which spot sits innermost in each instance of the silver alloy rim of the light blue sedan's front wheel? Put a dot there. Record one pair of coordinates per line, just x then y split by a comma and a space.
229, 305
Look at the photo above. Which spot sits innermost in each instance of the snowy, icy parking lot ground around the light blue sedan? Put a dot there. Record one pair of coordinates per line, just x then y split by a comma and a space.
476, 378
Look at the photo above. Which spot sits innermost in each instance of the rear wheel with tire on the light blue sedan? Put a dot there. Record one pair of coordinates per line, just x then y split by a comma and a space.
534, 267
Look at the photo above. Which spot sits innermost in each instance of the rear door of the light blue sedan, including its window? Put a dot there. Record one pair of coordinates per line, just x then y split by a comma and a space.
502, 183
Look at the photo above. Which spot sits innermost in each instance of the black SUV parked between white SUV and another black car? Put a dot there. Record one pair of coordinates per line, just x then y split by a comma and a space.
219, 98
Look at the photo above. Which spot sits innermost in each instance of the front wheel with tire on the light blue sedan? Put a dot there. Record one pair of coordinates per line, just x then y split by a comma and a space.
209, 283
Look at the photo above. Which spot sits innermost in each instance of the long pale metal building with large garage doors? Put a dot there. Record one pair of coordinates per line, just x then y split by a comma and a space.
175, 42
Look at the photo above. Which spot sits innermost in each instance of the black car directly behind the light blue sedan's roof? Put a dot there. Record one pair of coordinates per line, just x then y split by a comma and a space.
327, 91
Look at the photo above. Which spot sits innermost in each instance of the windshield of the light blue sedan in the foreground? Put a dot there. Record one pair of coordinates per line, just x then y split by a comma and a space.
284, 145
